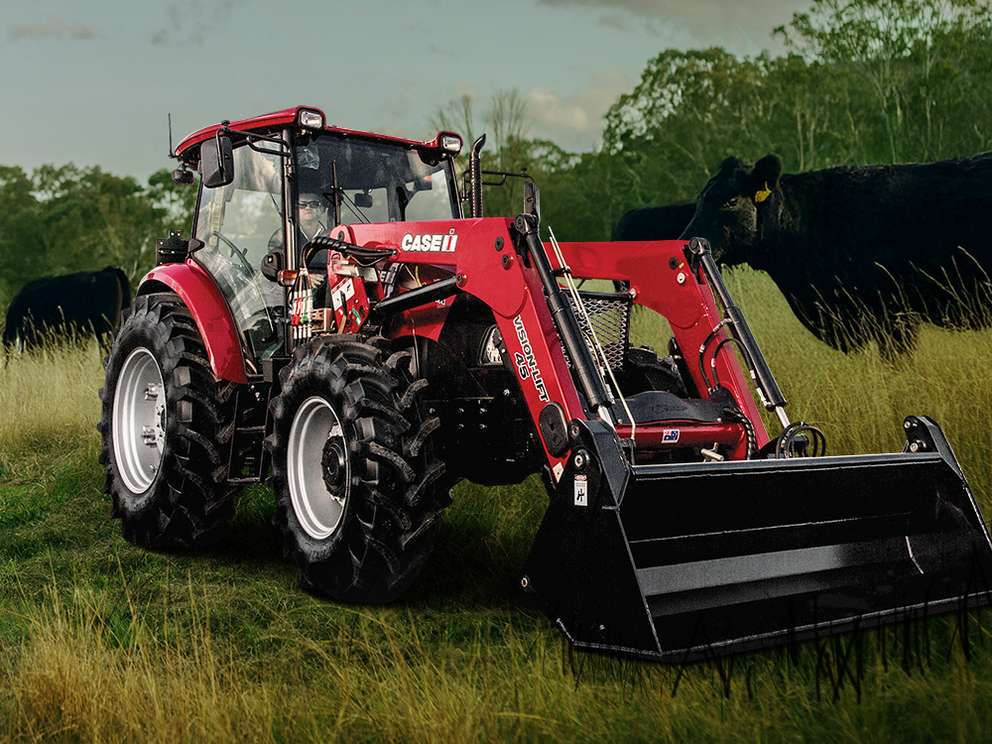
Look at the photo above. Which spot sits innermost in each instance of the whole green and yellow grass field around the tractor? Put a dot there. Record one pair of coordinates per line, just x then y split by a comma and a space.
102, 641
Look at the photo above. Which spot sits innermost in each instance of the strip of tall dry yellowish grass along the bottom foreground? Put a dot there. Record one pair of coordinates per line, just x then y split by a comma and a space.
87, 673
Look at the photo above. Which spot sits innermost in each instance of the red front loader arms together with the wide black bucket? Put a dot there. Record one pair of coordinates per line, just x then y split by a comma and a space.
684, 560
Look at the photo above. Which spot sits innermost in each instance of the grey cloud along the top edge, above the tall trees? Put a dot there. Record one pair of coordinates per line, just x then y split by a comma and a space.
707, 21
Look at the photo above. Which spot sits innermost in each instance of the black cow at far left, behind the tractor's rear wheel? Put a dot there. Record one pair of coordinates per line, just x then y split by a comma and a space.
87, 303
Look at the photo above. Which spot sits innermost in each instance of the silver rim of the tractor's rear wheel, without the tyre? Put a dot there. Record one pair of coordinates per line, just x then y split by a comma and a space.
139, 420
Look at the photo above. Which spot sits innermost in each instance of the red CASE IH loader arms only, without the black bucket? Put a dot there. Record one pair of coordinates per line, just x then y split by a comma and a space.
491, 268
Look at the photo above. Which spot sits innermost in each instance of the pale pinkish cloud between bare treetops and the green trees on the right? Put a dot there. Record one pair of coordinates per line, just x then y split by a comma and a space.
575, 121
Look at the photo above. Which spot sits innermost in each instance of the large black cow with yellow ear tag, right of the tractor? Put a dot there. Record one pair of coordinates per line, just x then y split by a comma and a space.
860, 253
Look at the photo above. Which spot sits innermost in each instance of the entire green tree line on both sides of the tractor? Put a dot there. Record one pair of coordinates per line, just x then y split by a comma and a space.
859, 81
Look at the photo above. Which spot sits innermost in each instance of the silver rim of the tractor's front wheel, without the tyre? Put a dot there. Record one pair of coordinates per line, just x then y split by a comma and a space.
318, 468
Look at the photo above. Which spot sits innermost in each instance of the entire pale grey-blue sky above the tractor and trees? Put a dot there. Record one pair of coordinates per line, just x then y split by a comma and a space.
91, 83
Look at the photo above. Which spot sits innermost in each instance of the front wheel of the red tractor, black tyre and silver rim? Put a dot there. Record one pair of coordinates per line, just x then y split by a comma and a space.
353, 467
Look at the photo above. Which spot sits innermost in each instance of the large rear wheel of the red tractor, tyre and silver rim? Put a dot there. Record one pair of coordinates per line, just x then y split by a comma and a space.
165, 424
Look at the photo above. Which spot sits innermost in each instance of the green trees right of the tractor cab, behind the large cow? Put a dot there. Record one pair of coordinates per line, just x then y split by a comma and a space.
861, 81
